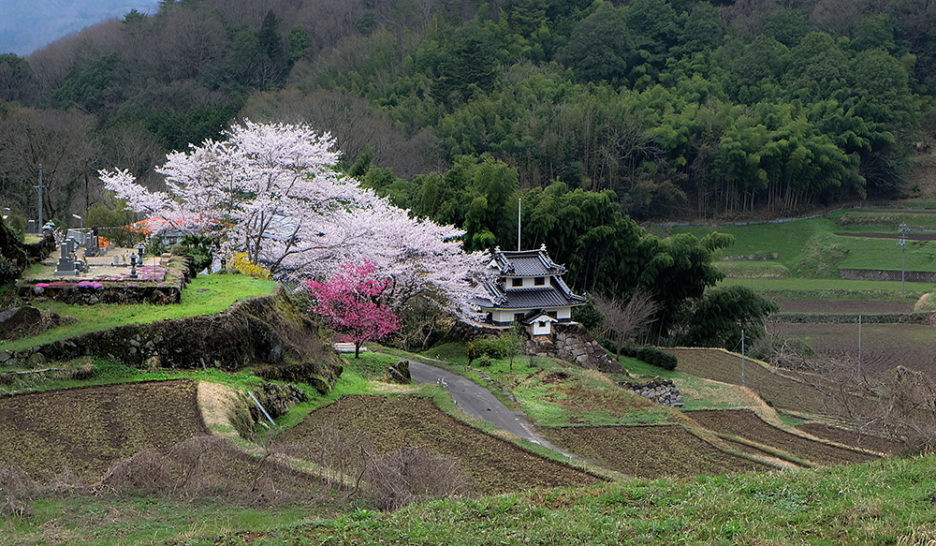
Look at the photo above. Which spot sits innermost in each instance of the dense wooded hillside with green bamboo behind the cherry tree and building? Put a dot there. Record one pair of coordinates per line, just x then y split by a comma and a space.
595, 113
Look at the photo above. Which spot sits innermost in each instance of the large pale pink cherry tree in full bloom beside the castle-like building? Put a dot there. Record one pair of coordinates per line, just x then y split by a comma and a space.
272, 190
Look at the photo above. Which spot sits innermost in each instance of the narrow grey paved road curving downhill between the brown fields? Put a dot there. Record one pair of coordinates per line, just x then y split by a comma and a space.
476, 401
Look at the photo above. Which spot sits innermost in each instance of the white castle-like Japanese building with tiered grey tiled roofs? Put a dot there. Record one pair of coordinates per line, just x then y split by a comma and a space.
528, 289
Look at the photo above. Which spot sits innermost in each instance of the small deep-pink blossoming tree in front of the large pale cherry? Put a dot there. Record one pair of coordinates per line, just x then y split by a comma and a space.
351, 303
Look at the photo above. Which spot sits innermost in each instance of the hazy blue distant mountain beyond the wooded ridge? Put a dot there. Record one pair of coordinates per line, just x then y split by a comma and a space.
26, 25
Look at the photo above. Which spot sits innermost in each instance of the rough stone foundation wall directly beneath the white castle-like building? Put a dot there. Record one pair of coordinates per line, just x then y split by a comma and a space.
571, 342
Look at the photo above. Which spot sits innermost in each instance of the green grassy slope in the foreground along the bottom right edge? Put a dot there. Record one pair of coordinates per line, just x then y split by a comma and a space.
881, 502
